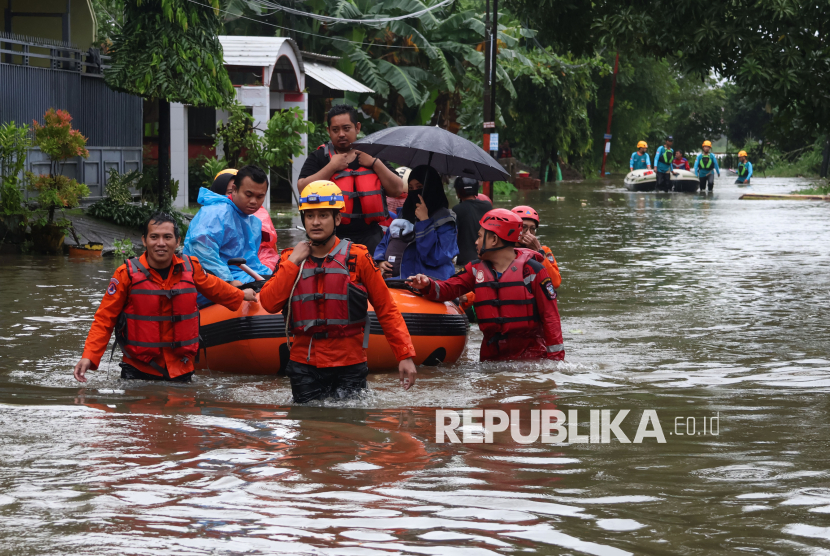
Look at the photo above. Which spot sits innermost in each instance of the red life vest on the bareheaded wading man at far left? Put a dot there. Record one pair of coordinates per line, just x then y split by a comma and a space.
139, 327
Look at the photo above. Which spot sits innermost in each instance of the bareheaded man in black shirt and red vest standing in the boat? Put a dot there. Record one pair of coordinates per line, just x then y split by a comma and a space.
364, 180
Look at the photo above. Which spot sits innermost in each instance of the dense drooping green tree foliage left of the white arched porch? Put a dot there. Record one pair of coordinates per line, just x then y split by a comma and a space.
169, 50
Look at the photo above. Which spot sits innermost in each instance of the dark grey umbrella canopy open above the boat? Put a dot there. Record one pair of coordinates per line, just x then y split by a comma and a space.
446, 152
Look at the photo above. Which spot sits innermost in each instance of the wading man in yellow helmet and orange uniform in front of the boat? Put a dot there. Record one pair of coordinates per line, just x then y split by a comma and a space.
323, 286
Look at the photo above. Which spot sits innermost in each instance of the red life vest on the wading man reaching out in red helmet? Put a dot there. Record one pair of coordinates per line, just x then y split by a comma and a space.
506, 305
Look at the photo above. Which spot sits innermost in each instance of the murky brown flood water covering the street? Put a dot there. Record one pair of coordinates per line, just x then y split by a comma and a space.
692, 306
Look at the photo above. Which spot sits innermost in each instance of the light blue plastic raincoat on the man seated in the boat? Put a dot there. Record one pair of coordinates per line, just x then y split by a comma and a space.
219, 232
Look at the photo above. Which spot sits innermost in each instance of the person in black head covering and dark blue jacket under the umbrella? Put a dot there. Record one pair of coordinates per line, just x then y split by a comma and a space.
423, 239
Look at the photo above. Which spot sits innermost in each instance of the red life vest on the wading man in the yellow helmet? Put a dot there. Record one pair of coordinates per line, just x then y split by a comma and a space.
344, 304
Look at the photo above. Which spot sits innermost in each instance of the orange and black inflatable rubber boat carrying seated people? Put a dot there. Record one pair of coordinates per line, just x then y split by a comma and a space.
252, 341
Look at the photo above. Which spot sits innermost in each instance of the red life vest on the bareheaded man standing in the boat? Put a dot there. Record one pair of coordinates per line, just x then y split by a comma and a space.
363, 183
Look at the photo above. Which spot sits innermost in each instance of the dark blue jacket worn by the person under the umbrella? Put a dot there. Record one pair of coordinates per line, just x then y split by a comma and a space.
432, 252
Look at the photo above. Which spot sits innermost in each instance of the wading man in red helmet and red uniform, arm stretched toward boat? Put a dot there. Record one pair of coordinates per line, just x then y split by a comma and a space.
515, 299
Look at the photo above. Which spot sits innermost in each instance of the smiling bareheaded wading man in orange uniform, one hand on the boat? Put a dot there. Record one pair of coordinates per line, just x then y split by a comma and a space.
159, 329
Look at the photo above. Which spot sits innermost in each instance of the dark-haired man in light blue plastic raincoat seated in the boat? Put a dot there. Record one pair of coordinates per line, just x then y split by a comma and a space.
226, 228
